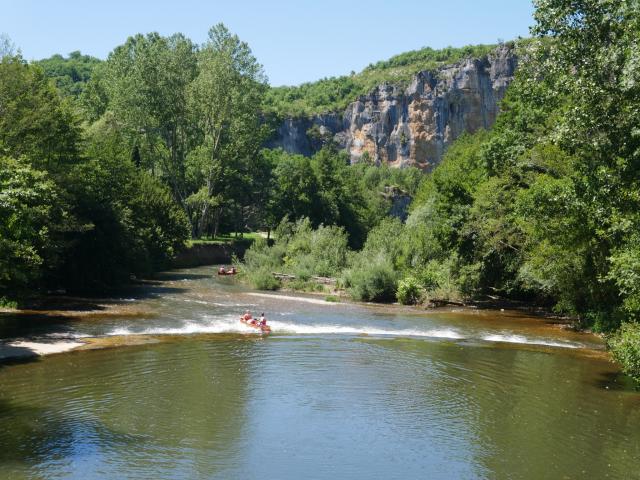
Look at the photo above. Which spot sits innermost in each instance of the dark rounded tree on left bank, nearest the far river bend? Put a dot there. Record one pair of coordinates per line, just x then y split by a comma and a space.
132, 225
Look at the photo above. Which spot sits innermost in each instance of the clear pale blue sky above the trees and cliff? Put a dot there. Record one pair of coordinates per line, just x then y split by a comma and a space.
296, 41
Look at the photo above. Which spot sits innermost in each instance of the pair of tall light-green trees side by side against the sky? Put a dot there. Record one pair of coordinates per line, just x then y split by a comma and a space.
189, 115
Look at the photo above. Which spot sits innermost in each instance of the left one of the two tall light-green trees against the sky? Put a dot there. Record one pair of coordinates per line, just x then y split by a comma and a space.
145, 81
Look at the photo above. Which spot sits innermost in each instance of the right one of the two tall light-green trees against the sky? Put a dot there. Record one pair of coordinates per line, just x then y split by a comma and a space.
224, 101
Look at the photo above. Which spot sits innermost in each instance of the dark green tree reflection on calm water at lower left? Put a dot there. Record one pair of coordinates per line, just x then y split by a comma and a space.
135, 413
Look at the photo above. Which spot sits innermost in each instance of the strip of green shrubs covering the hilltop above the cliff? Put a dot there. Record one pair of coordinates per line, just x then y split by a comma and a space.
335, 93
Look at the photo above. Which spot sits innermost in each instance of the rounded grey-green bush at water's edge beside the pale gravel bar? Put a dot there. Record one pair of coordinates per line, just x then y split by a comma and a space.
372, 282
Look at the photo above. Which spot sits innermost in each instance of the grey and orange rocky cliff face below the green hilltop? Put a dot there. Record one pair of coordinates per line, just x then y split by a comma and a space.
410, 126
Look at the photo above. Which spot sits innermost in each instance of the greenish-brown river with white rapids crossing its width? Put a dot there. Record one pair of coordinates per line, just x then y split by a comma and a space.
337, 391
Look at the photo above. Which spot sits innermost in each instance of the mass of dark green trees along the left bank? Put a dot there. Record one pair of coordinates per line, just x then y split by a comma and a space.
74, 209
